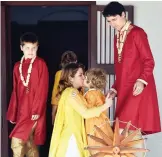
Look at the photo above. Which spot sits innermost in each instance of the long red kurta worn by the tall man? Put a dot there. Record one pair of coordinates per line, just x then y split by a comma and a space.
137, 63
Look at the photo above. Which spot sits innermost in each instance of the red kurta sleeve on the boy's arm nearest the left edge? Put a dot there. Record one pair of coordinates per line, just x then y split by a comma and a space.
12, 109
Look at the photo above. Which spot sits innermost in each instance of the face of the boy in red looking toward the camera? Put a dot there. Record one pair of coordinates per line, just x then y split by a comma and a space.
29, 49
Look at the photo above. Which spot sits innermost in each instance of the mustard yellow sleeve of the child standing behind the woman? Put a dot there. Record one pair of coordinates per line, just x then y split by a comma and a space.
54, 100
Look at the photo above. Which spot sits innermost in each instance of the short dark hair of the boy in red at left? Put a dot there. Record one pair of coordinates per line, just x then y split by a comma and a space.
28, 37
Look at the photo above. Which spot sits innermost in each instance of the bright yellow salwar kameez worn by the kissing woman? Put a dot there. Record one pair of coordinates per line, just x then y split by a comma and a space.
69, 137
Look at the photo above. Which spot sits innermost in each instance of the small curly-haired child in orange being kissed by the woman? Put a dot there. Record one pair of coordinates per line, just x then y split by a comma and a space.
95, 81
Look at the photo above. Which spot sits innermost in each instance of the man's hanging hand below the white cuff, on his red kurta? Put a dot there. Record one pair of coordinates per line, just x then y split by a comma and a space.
138, 88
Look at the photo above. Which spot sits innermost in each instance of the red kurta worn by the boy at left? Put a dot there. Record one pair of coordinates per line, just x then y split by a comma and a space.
23, 105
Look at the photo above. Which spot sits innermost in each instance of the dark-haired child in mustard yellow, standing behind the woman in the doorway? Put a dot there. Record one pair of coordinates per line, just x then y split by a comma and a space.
66, 58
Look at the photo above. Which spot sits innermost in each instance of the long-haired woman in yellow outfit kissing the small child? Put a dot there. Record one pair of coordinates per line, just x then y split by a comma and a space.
69, 137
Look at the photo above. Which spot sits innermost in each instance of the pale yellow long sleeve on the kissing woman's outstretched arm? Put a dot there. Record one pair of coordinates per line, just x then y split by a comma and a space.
79, 106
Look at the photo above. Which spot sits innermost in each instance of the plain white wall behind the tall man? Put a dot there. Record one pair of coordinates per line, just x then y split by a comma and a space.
148, 16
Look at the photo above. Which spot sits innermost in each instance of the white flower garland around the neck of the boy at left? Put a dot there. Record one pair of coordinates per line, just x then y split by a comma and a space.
29, 71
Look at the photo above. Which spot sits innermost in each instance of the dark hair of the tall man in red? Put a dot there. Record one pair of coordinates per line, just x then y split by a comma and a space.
113, 8
